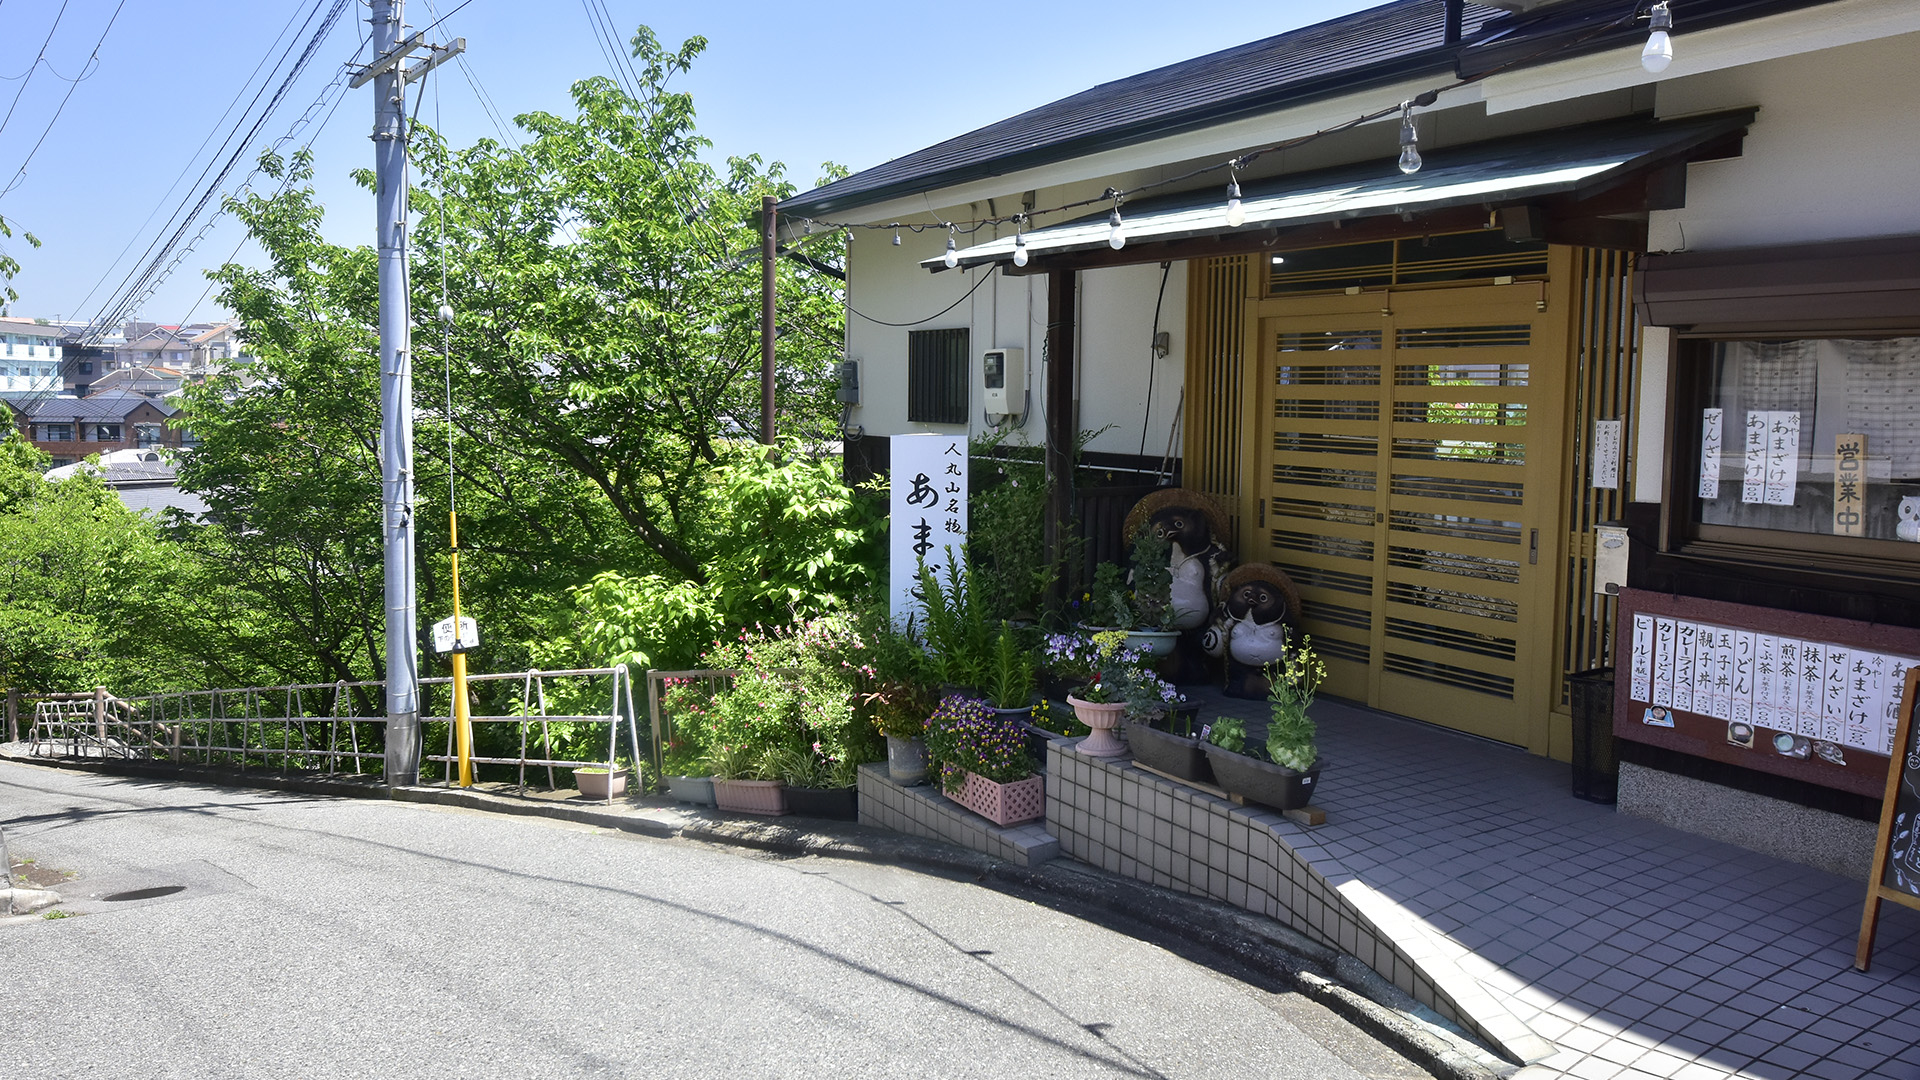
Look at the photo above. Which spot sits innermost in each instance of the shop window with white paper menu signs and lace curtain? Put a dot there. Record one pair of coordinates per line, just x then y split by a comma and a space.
1804, 445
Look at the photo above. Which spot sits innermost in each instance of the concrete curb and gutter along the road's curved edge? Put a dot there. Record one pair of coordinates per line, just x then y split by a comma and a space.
1262, 945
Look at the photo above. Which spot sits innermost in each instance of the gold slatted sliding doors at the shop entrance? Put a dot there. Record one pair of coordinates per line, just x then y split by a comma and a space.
1408, 454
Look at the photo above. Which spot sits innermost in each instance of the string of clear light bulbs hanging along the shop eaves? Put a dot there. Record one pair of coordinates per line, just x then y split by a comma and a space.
1656, 59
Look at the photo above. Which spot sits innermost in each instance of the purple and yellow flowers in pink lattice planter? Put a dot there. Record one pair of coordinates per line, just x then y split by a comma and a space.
982, 760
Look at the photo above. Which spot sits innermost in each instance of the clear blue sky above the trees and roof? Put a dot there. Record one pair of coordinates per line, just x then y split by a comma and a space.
853, 84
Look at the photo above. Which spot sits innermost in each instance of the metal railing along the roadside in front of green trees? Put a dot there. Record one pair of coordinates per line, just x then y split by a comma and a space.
339, 729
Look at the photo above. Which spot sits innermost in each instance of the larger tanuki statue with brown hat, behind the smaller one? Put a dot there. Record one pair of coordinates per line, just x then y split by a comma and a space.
1197, 558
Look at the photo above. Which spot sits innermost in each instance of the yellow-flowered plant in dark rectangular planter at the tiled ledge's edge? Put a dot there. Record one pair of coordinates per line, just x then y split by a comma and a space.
1285, 772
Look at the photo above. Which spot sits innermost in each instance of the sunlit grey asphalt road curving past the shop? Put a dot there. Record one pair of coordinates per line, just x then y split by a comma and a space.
325, 937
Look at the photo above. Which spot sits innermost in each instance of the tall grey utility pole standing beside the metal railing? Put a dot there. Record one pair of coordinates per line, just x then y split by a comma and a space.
391, 78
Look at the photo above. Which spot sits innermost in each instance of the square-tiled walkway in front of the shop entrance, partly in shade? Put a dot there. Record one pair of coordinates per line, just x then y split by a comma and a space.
1641, 952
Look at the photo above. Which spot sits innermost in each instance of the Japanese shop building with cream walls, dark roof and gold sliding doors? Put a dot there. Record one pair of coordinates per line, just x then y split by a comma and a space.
1424, 393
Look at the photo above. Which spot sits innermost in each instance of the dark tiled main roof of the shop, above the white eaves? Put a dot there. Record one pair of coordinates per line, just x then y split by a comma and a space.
1353, 53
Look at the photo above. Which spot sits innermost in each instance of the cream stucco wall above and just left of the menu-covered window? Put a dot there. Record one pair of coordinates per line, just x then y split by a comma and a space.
1835, 155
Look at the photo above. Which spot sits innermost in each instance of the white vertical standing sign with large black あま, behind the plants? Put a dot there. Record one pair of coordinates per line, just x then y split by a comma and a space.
926, 514
